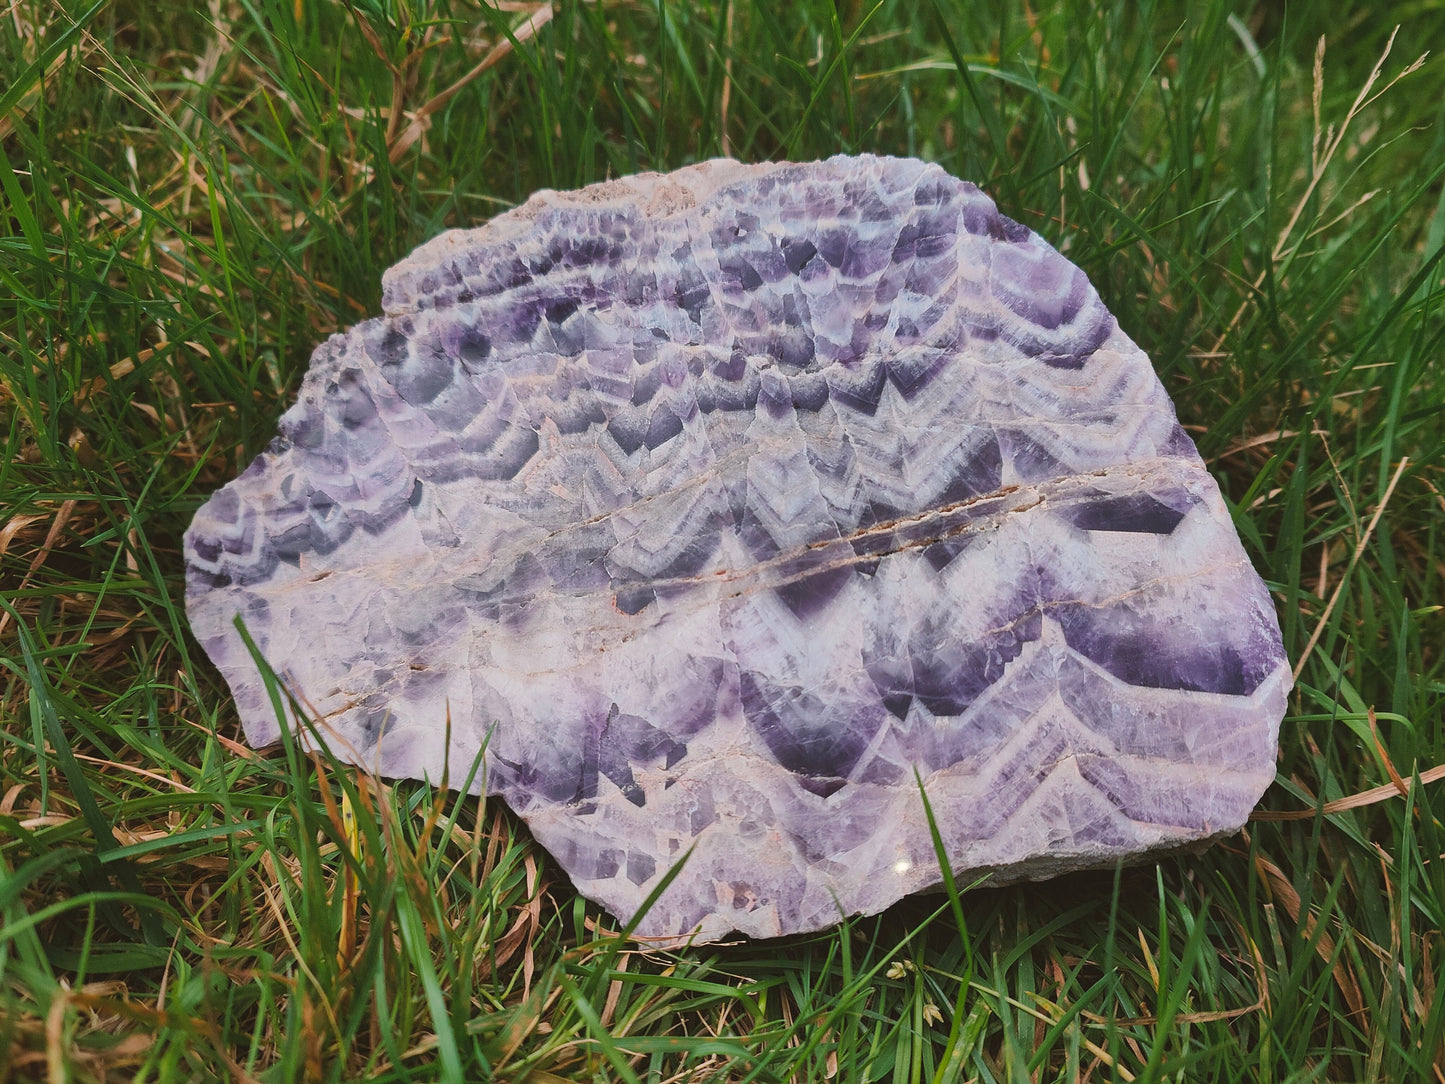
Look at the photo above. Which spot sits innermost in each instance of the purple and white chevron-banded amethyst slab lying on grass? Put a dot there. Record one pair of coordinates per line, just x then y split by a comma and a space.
717, 505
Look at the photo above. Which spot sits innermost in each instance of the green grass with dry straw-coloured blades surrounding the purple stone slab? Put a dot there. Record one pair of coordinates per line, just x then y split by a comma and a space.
194, 196
